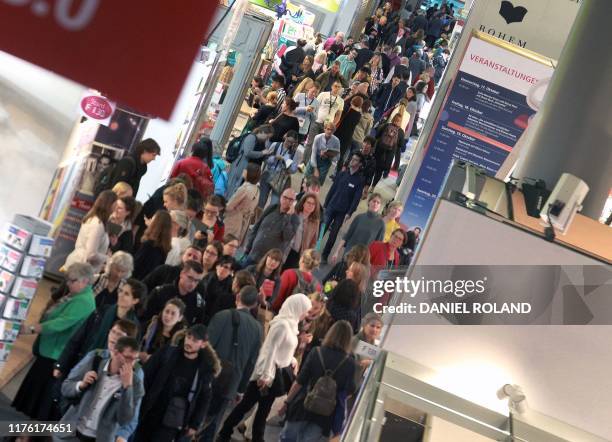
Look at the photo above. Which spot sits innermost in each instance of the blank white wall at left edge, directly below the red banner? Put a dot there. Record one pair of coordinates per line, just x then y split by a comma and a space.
40, 109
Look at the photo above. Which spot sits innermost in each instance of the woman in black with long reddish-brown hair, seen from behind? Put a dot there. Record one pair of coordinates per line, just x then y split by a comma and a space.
156, 243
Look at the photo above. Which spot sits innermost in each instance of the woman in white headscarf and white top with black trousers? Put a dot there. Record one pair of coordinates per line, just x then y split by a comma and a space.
272, 376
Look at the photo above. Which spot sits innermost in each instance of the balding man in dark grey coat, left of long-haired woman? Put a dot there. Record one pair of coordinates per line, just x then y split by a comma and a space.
274, 230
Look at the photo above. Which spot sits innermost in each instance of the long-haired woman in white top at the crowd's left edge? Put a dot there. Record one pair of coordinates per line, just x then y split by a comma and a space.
92, 241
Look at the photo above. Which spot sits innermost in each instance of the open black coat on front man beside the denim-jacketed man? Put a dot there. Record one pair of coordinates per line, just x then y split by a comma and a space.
158, 371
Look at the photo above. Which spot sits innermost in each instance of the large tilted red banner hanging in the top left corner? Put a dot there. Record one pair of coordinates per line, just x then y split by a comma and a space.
137, 52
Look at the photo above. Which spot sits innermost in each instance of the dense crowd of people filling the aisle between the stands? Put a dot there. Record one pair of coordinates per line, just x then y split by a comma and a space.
179, 316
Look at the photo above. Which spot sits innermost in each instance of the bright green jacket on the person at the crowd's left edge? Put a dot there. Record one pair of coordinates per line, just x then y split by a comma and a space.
59, 325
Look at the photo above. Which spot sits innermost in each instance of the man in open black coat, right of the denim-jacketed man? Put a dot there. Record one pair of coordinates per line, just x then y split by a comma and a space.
178, 388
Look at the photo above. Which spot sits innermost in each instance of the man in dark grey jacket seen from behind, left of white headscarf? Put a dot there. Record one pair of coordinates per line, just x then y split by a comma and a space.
236, 337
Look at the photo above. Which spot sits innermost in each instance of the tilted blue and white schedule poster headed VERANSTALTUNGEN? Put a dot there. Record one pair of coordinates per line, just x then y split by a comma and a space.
484, 114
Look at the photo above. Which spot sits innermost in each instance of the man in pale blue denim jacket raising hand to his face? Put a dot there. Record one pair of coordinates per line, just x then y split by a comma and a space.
108, 395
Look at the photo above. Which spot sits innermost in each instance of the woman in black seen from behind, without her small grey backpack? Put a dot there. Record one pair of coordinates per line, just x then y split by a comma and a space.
333, 355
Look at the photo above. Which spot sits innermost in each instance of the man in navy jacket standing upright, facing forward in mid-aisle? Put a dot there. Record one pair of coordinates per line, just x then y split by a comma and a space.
342, 200
